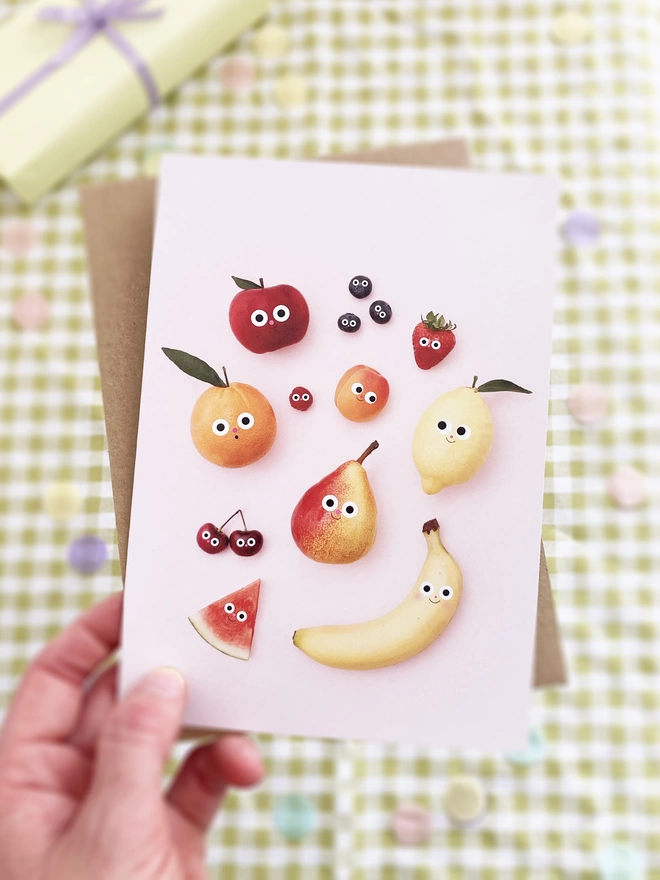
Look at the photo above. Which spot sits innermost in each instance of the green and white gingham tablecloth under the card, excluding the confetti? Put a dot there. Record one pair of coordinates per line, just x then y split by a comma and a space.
384, 72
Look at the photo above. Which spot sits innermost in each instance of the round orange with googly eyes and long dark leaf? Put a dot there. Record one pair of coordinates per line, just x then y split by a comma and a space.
232, 424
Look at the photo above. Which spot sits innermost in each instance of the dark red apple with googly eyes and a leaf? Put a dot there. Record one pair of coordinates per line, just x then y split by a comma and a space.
268, 318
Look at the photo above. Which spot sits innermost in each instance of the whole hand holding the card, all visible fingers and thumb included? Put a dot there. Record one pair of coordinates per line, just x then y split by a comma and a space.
81, 774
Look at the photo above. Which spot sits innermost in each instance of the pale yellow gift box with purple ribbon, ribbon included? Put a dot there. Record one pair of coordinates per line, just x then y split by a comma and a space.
75, 73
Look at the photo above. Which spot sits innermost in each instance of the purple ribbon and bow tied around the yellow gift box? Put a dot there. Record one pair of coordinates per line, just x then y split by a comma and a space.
90, 20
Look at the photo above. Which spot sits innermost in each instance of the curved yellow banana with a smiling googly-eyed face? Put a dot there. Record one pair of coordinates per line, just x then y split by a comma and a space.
402, 633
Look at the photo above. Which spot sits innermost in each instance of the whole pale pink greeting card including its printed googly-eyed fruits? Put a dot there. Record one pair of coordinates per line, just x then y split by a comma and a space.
339, 473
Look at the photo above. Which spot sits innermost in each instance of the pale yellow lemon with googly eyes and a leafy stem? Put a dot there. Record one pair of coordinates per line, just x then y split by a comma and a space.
454, 435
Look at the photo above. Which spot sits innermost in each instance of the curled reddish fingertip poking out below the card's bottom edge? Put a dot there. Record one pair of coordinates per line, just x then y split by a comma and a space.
201, 782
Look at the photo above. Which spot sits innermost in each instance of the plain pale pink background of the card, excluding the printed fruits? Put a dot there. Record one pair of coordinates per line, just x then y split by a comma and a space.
479, 247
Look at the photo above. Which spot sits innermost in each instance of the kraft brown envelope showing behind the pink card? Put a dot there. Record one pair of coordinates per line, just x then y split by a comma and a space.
119, 224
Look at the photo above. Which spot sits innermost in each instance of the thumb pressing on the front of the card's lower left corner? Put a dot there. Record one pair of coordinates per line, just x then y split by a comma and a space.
138, 736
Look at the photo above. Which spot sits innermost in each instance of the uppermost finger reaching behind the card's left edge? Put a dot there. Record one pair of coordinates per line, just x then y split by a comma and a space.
48, 701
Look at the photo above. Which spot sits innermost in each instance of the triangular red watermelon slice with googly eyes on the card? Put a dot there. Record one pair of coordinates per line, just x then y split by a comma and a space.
228, 624
